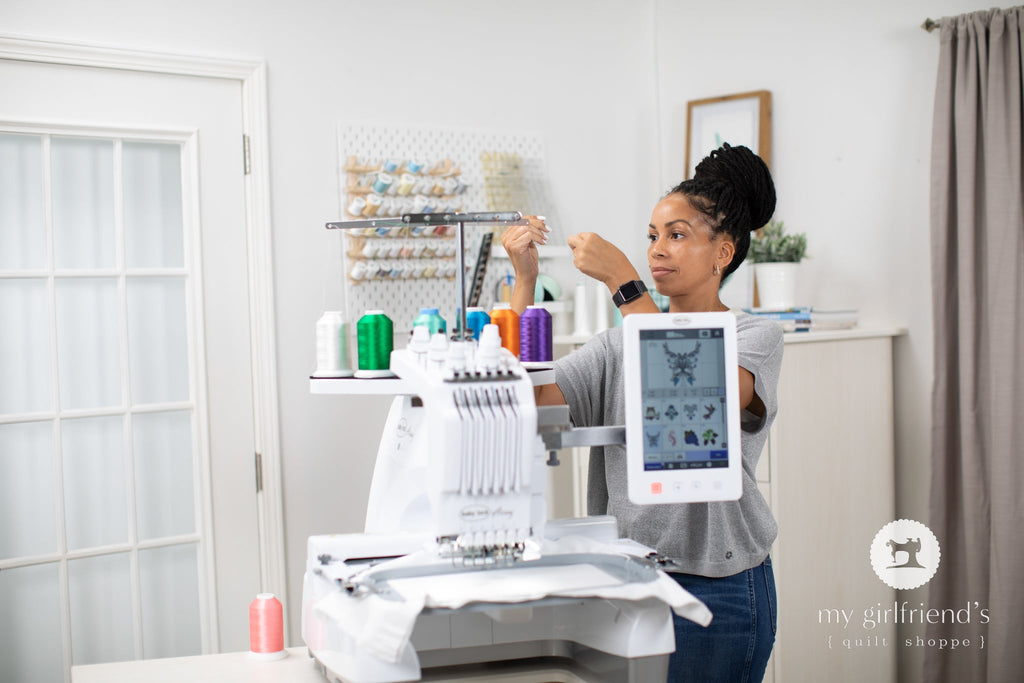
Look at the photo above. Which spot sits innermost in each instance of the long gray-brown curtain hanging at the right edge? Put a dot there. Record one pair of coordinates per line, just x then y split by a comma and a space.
977, 221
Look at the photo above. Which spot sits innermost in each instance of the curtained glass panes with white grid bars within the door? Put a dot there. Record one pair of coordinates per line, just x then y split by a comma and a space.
102, 546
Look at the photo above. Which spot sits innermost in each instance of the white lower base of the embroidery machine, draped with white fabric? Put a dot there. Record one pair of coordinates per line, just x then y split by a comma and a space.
593, 617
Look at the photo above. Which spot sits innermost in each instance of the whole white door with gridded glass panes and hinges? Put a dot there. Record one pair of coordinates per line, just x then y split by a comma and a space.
129, 503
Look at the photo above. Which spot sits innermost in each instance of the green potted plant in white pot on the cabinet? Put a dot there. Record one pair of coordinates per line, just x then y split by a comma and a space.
776, 257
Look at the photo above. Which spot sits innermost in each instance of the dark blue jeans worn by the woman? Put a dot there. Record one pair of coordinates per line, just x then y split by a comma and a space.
736, 648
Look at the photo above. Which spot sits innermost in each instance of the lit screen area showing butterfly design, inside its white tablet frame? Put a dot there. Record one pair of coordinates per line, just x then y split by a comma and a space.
684, 393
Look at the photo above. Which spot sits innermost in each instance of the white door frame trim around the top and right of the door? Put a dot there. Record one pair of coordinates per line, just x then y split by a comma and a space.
252, 77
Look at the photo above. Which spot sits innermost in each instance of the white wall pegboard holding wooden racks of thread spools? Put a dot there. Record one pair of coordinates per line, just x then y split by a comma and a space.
399, 270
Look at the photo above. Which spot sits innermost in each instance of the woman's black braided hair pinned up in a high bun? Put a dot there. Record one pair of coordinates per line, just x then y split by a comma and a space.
734, 189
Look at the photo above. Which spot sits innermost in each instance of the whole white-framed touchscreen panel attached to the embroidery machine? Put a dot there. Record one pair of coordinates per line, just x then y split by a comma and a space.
682, 408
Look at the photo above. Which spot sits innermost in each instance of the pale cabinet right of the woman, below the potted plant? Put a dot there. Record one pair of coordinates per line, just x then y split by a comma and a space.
829, 471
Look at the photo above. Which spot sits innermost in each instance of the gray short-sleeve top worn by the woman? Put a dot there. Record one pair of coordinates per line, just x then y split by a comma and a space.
706, 539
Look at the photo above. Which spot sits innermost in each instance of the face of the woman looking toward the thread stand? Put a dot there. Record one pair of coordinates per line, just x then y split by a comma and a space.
684, 252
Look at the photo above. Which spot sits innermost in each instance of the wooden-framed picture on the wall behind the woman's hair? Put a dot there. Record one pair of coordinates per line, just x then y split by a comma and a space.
743, 119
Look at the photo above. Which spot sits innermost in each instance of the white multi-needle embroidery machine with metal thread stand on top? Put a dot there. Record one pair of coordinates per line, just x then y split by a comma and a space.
459, 569
